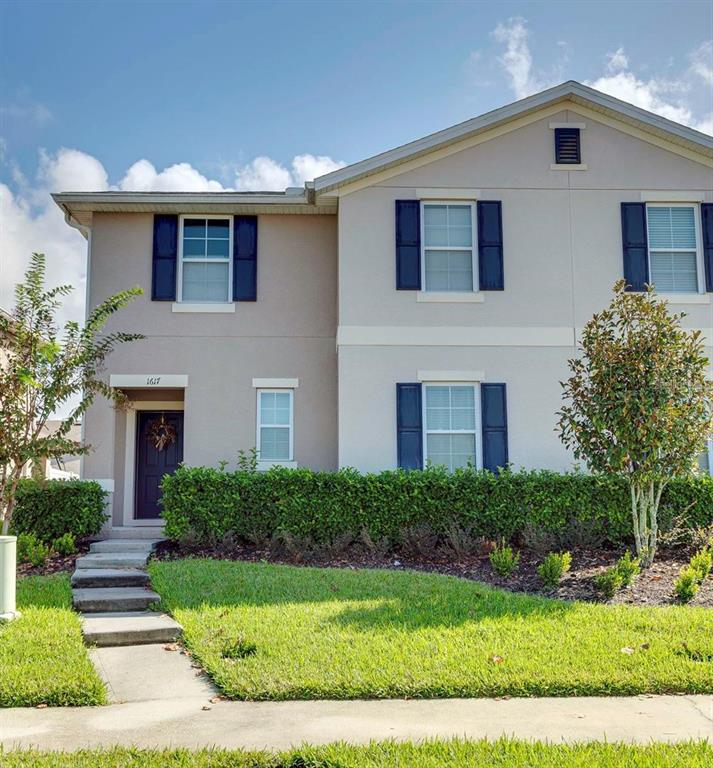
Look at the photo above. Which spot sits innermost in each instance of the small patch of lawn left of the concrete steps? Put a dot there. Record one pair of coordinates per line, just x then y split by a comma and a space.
42, 656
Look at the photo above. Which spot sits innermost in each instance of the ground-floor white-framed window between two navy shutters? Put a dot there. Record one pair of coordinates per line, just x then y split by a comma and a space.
451, 425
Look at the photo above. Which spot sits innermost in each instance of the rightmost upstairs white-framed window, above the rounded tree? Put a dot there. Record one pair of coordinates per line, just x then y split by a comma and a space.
675, 262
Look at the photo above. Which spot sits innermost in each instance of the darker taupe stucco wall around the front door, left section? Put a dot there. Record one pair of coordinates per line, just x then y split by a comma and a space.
288, 333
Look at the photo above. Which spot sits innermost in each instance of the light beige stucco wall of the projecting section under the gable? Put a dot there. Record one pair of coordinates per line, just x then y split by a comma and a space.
562, 254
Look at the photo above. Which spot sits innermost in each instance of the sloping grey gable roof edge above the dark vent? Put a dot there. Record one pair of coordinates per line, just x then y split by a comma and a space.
571, 91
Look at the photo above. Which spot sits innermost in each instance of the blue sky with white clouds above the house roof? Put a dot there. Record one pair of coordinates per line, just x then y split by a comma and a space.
207, 95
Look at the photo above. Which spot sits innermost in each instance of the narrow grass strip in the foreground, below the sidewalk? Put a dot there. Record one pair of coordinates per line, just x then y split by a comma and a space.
449, 754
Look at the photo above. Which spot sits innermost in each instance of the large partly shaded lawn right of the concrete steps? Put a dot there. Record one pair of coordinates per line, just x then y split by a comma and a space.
278, 632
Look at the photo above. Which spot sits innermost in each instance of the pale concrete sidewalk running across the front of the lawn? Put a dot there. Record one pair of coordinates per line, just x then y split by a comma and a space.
192, 721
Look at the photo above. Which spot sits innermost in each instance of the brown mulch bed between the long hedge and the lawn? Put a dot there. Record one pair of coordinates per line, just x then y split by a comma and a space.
652, 587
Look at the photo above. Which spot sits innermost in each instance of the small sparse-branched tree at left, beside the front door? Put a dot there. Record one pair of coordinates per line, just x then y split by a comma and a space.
43, 370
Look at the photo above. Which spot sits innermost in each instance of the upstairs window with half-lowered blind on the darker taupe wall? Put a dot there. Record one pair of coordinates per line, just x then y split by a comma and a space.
205, 263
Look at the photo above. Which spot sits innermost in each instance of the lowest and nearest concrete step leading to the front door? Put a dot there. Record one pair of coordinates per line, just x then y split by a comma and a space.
129, 628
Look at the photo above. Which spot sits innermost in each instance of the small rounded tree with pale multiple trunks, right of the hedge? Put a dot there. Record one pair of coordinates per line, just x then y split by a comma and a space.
638, 403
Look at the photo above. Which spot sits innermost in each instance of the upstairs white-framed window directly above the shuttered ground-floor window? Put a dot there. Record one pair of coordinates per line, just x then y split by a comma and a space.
448, 252
